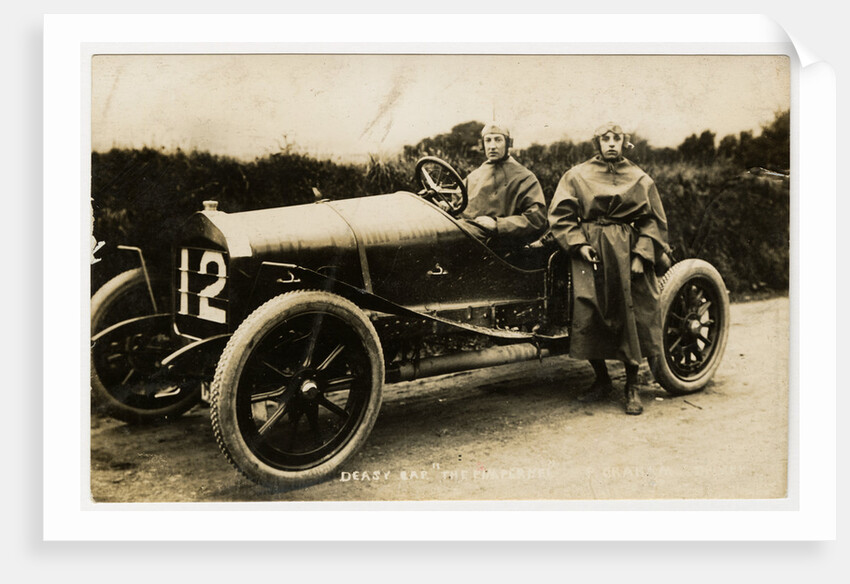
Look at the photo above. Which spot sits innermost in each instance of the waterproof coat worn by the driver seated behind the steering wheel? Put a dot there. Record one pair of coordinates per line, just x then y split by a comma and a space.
510, 193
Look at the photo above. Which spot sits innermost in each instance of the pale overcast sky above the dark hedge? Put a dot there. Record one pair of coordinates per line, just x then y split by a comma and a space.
350, 106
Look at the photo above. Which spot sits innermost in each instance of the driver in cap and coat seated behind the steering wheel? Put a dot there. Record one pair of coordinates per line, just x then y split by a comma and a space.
506, 207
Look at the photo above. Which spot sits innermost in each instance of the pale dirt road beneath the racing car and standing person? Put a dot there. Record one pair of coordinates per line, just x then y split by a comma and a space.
512, 432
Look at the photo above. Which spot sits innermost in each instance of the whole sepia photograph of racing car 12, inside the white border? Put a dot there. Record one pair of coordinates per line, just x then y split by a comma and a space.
439, 277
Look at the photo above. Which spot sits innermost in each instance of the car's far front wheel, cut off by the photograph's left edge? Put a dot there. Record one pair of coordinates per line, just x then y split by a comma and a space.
124, 359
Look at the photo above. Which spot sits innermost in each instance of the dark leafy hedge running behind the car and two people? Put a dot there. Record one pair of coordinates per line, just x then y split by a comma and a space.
716, 210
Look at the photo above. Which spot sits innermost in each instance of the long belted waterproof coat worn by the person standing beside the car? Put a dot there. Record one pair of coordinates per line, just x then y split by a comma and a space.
615, 208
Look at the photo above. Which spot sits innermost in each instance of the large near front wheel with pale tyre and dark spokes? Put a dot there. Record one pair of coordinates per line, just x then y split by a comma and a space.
297, 389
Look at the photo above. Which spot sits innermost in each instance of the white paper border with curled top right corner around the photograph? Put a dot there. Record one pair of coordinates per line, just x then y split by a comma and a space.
807, 513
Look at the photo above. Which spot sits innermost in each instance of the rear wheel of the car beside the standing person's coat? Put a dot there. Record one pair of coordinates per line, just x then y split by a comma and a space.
694, 308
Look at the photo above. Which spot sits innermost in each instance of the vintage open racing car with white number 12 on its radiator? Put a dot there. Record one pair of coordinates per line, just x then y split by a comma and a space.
289, 321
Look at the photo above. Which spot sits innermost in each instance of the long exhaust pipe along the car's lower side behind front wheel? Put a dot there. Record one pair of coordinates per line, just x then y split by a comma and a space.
472, 360
